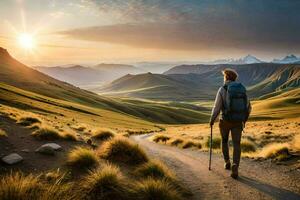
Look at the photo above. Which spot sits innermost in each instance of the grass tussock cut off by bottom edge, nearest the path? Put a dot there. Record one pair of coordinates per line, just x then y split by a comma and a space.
156, 189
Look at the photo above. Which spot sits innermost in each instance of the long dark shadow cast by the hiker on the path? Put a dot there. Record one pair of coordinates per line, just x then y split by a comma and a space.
274, 192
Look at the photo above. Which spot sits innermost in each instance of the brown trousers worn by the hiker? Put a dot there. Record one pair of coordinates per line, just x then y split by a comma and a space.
236, 129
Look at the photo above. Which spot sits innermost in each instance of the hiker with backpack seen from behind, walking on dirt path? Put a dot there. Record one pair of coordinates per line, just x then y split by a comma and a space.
232, 100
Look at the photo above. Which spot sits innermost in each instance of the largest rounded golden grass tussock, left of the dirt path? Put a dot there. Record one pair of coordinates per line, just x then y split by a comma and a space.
122, 150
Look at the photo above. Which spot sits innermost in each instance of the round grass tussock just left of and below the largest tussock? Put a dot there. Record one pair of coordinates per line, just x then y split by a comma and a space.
81, 157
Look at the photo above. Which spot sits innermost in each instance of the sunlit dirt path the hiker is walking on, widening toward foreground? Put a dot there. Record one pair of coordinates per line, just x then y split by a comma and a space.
258, 180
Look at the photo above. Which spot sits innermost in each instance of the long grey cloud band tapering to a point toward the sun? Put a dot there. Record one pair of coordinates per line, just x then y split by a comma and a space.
187, 36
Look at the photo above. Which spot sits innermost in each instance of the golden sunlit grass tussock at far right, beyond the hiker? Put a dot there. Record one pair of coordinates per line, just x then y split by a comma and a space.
276, 151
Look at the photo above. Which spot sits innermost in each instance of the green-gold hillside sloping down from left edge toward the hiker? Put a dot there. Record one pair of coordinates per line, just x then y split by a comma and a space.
19, 81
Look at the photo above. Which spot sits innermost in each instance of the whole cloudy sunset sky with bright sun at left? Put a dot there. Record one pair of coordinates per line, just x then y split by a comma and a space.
127, 31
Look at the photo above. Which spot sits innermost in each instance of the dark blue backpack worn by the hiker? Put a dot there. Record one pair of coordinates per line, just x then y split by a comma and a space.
236, 102
